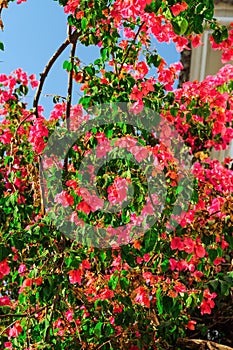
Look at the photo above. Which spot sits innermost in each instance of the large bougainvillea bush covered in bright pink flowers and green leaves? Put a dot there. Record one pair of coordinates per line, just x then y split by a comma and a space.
144, 261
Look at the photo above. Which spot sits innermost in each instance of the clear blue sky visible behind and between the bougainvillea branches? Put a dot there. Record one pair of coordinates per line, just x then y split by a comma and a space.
33, 32
